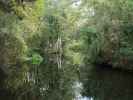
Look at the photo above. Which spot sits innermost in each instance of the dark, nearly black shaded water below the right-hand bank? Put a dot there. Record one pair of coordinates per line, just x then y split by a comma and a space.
108, 84
